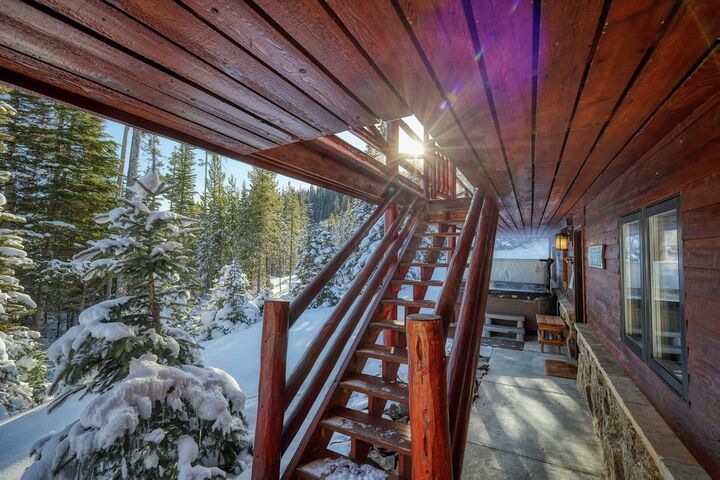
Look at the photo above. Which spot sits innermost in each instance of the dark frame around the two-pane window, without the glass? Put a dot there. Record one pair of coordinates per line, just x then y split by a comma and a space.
644, 350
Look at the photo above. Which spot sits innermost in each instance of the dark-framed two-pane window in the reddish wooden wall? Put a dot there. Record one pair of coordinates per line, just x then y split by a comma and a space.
651, 290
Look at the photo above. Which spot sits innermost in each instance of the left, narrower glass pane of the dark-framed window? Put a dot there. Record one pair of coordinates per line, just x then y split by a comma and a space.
632, 281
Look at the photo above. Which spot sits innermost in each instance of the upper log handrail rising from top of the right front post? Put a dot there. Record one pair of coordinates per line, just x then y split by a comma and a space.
448, 296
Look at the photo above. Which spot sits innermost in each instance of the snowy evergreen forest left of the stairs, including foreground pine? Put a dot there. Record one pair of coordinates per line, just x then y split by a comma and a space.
114, 265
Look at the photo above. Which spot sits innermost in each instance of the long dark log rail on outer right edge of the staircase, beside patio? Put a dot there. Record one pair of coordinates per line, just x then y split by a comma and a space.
466, 344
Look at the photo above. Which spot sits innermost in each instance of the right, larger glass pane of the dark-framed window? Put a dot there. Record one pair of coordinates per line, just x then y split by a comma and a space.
665, 291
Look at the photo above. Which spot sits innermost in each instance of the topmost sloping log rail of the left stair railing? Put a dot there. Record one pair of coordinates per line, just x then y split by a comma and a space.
300, 303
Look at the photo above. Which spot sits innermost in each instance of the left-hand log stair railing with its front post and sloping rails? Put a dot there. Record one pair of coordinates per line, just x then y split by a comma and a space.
275, 395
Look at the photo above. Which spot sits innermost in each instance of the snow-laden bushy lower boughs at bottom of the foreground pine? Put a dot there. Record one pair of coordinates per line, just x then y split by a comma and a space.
159, 422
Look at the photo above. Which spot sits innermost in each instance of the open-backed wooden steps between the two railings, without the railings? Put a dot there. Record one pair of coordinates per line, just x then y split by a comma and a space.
382, 340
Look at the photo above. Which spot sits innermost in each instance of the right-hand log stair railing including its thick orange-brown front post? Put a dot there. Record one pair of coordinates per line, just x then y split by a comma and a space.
438, 451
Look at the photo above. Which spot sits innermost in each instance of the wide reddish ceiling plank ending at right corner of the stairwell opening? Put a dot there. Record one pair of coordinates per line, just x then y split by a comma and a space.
312, 26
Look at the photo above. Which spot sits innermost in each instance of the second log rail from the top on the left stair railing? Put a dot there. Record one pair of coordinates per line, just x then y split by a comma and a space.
306, 363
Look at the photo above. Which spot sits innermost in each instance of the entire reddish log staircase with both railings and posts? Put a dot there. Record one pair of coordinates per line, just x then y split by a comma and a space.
383, 326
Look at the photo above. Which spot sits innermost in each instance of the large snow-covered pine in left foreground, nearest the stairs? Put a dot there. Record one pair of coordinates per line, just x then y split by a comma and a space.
159, 414
